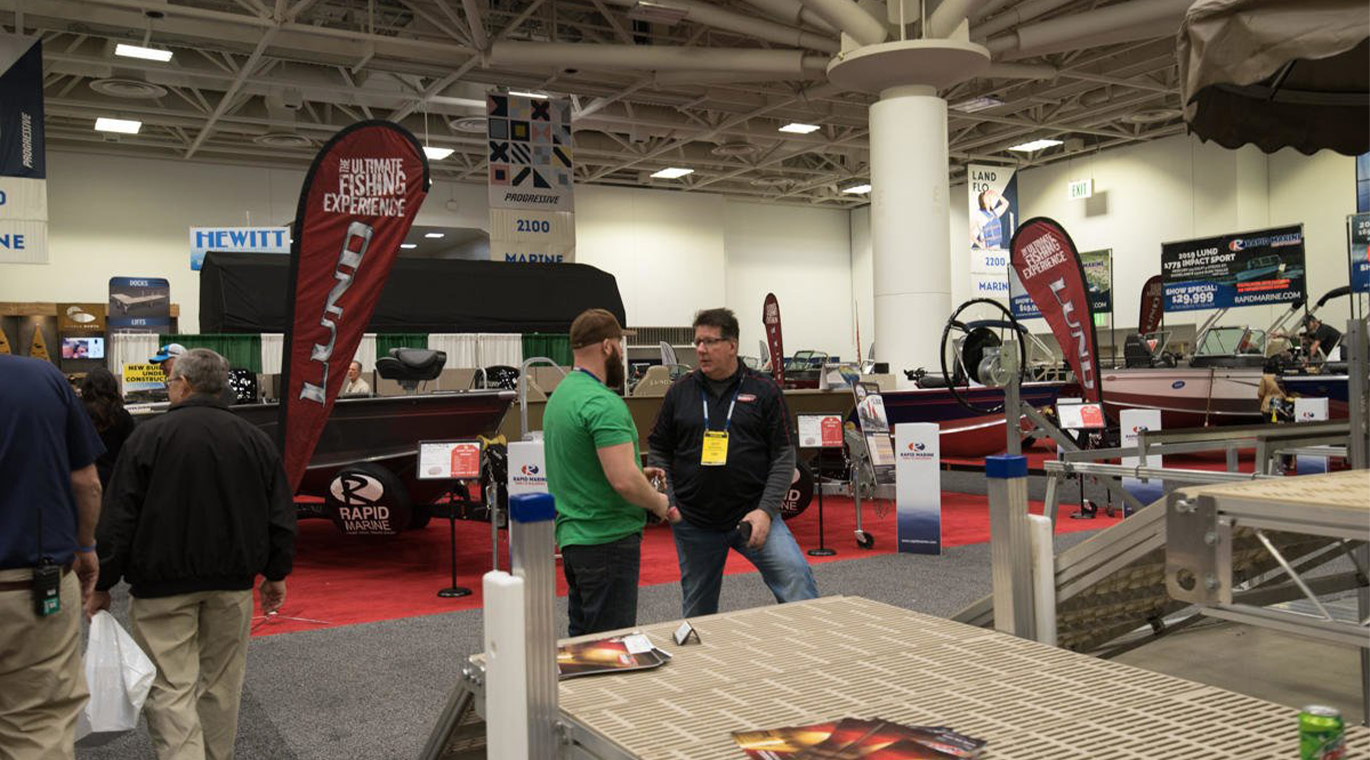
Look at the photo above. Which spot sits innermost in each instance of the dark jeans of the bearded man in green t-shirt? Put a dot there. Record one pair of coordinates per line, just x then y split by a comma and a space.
603, 585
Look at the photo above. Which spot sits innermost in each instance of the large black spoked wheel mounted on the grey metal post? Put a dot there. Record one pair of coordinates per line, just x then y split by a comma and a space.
965, 346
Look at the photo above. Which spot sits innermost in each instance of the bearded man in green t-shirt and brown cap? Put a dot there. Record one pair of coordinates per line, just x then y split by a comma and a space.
594, 470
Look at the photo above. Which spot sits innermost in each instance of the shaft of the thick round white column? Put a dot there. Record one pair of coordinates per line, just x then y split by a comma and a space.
910, 224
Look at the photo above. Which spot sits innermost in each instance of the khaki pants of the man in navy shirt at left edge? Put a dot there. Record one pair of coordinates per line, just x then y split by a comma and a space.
42, 679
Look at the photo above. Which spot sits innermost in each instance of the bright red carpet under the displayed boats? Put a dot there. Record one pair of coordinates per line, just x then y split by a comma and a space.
340, 581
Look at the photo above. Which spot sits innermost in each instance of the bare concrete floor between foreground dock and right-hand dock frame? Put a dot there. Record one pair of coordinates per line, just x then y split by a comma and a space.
1261, 663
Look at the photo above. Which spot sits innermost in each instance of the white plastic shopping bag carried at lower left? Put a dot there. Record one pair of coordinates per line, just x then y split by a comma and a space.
120, 677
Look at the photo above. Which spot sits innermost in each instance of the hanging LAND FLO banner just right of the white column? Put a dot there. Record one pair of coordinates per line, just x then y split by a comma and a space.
993, 209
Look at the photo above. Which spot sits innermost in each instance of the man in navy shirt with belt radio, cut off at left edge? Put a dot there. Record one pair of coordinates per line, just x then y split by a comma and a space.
49, 511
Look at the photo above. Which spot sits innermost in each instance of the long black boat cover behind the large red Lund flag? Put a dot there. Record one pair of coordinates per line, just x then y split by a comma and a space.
247, 294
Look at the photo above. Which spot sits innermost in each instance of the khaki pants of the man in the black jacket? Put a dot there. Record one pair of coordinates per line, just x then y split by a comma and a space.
199, 643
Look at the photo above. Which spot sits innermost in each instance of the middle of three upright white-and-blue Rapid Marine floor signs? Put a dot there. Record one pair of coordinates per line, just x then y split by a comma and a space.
919, 488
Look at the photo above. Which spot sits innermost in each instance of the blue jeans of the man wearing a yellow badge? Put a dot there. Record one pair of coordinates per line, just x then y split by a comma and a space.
703, 553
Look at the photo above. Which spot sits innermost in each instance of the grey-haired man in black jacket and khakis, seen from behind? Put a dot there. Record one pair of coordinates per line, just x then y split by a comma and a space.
197, 509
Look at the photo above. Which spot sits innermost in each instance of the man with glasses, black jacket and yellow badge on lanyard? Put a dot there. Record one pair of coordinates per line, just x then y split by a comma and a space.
723, 438
